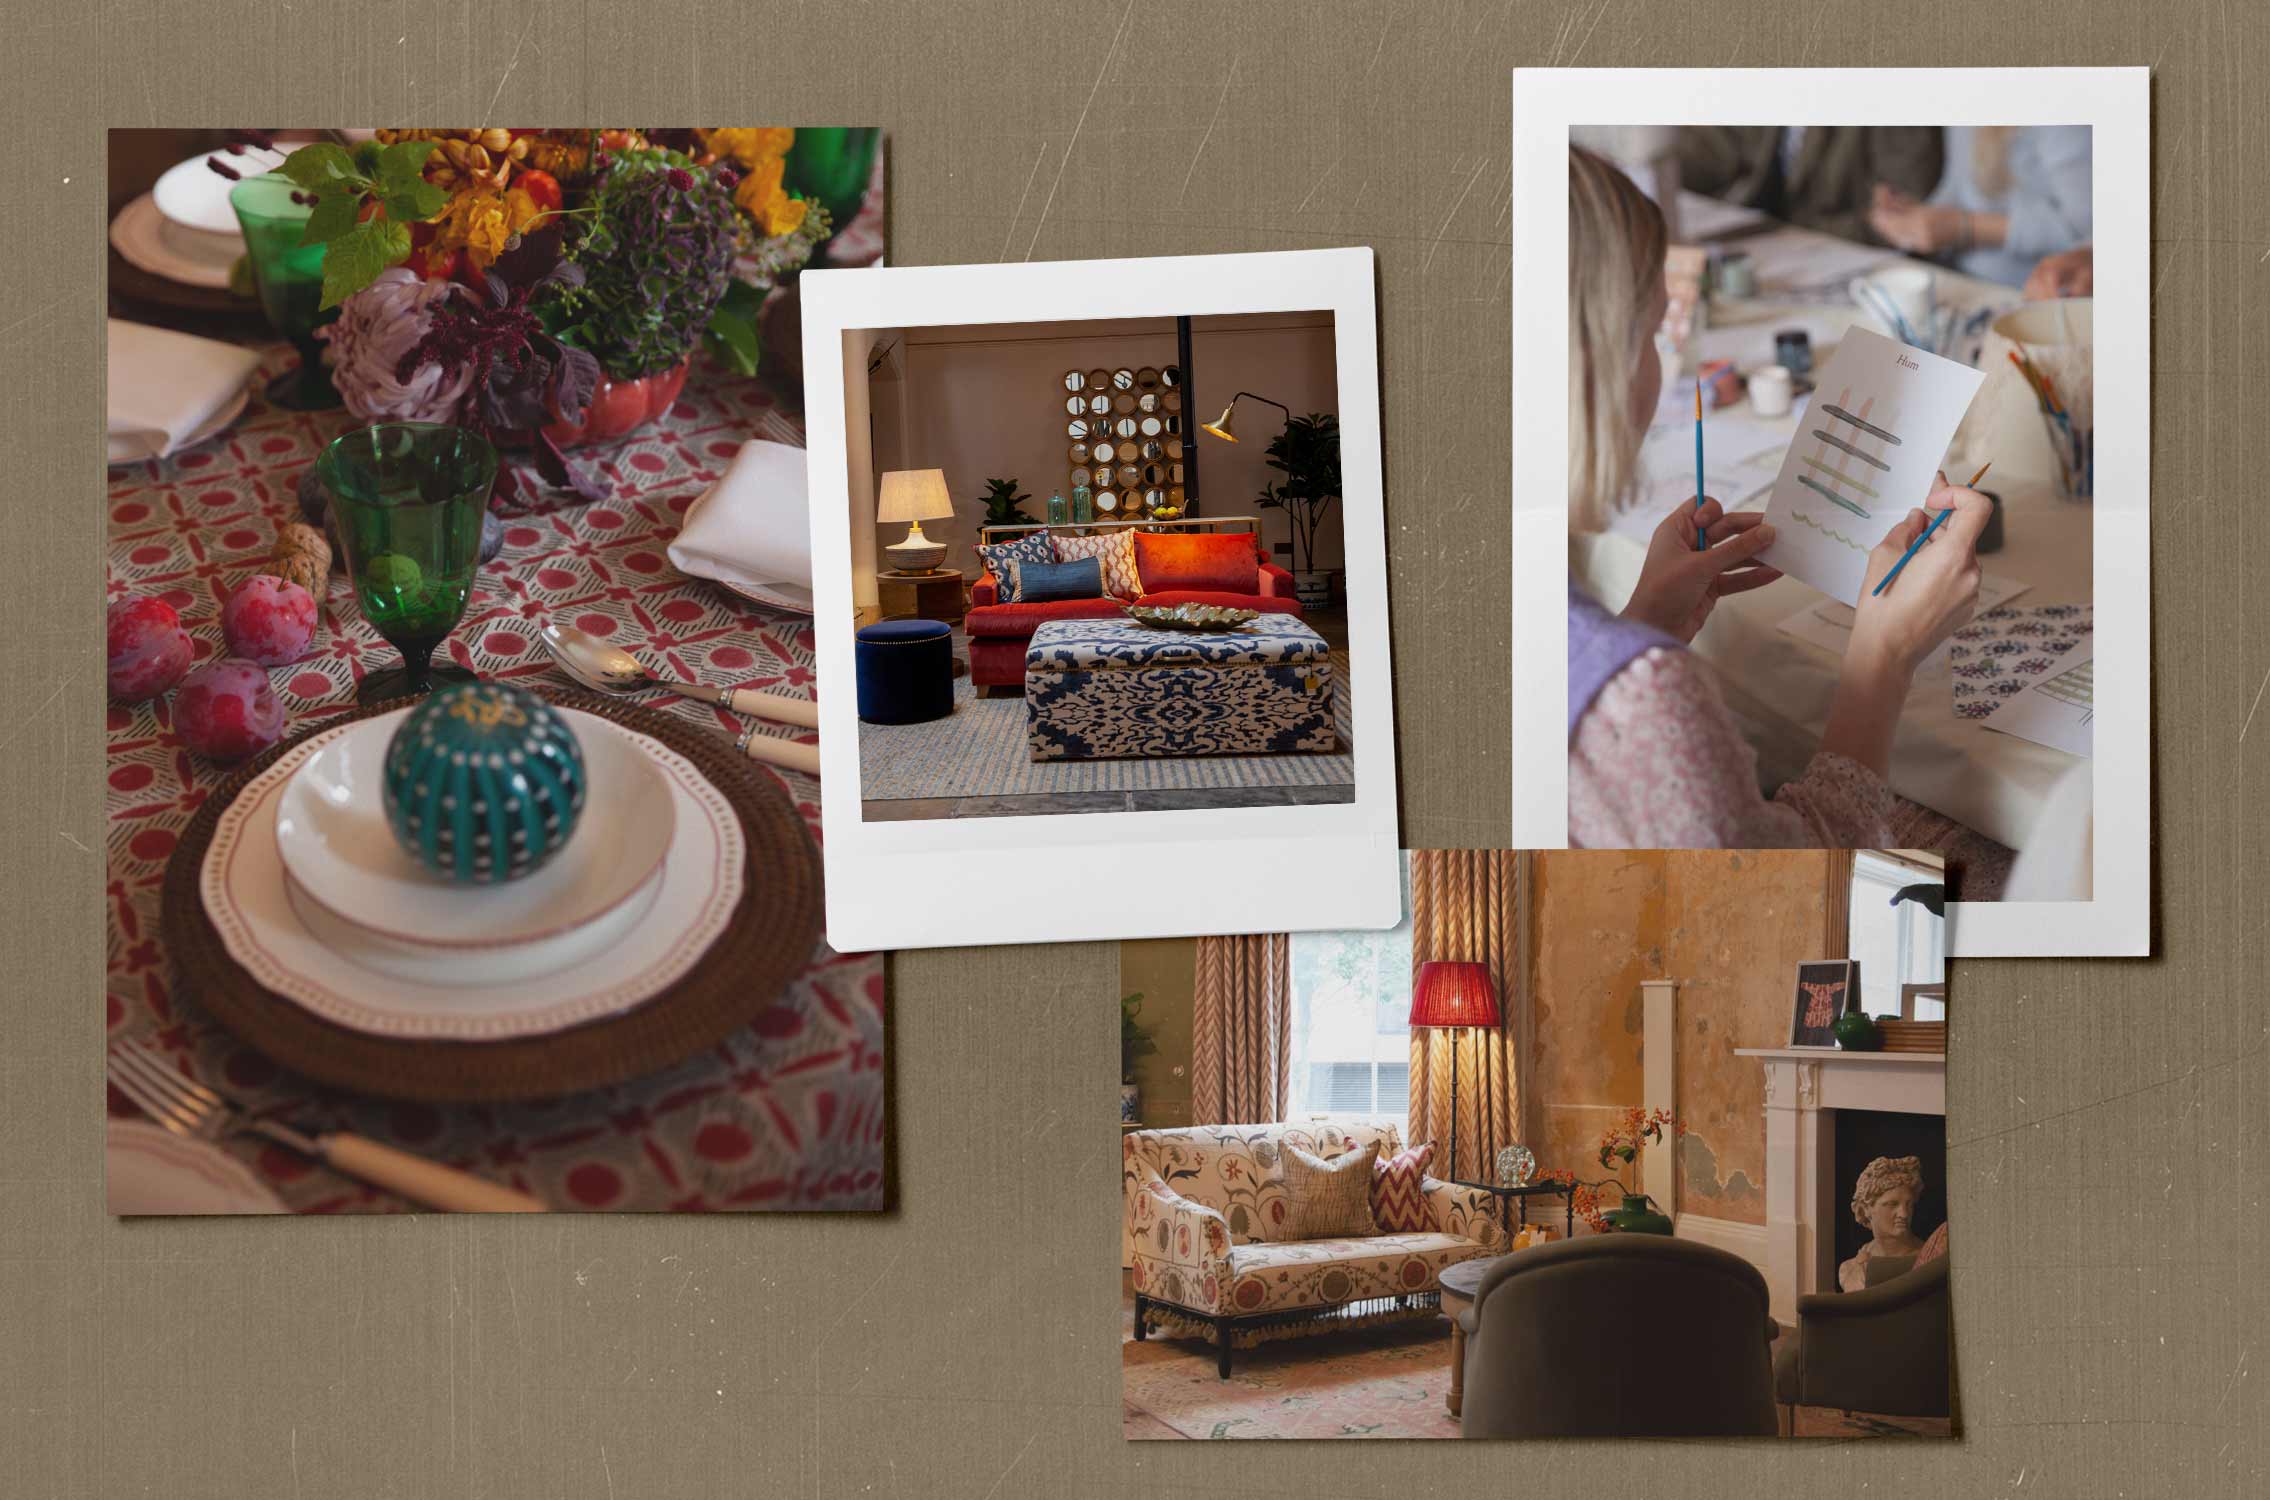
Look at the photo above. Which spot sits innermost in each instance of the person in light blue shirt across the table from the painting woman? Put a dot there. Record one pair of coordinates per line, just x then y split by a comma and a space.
2010, 201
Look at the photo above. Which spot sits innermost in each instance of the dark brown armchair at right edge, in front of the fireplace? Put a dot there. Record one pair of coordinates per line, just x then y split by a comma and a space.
1881, 1349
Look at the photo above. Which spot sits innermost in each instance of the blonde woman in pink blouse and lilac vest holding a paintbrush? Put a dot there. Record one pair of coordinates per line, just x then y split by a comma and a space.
1656, 761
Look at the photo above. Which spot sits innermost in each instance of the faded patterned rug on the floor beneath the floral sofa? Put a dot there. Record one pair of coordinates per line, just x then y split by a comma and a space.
1379, 1383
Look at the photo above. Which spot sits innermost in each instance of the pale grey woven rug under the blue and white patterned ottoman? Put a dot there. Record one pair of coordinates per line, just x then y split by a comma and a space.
982, 750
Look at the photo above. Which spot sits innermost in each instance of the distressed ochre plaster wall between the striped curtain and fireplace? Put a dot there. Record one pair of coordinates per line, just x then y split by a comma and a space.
1726, 927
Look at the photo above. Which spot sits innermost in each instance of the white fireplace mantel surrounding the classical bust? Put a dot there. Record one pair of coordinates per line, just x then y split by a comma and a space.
1806, 1086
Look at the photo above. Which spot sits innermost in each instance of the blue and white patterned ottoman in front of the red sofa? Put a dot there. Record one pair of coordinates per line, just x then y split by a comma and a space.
1111, 689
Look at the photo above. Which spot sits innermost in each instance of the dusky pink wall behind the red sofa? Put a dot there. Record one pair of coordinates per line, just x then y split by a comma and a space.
989, 401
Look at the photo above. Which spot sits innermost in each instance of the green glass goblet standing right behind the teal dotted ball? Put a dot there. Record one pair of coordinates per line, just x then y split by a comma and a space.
407, 503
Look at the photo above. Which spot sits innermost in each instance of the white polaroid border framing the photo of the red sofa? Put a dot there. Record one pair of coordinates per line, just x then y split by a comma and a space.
1104, 875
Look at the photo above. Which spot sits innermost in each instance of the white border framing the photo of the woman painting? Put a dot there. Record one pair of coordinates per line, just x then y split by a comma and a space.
2117, 106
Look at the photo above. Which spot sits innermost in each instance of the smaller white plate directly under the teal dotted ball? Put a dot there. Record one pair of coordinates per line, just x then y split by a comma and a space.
344, 857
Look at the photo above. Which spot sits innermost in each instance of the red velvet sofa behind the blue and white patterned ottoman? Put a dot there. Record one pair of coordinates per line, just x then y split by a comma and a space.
1170, 568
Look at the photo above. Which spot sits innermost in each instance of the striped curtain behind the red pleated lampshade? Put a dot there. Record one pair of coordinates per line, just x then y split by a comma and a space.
1468, 909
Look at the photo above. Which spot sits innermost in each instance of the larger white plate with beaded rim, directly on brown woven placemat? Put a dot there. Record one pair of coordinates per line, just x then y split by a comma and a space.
246, 895
